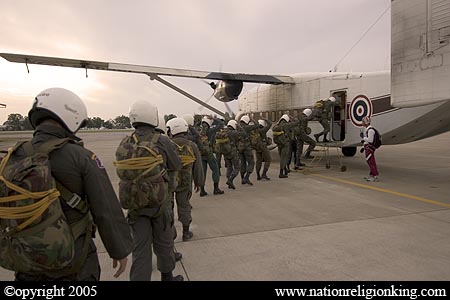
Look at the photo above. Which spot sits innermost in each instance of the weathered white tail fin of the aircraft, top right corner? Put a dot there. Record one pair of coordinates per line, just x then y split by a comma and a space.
420, 52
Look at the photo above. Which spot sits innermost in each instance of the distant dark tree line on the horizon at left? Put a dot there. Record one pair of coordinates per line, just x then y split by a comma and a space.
17, 122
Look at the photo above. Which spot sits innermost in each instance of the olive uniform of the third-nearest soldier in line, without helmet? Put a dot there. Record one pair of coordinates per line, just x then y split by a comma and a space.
190, 172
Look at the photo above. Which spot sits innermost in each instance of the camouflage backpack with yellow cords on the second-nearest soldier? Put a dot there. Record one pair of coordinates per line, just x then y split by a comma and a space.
142, 182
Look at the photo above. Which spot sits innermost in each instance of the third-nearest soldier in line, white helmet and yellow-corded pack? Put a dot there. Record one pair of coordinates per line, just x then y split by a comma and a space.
192, 171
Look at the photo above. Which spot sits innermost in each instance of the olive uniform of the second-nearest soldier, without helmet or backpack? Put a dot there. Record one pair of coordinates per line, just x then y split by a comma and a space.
154, 225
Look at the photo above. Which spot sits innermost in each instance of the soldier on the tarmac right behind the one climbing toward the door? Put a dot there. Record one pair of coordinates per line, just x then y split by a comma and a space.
281, 138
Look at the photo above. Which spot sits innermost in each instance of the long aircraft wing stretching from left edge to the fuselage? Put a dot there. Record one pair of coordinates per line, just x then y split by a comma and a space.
148, 70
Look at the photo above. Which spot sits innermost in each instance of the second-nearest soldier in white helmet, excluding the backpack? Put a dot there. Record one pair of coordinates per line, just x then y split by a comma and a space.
153, 225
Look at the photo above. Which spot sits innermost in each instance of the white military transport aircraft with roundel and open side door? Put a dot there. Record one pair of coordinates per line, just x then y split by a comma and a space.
409, 103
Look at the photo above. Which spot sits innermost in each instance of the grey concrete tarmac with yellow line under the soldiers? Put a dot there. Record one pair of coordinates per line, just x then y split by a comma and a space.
322, 224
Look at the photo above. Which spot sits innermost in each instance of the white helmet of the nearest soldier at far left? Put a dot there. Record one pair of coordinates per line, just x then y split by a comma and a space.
59, 104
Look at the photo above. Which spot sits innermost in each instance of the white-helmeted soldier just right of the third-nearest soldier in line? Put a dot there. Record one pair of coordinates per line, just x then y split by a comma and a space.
207, 133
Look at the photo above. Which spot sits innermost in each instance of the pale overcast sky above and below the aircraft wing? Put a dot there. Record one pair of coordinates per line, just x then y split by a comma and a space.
245, 36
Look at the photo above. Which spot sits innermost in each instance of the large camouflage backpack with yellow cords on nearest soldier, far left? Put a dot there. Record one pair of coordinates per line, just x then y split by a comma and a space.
35, 237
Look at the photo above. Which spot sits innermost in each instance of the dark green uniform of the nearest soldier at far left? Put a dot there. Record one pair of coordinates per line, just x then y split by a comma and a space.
81, 172
